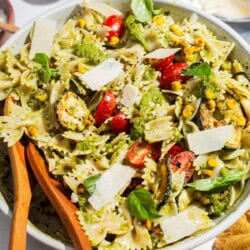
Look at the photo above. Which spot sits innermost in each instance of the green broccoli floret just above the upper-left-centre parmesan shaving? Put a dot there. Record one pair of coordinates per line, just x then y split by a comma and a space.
90, 52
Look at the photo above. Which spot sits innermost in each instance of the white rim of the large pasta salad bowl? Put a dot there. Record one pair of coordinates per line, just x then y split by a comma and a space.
194, 242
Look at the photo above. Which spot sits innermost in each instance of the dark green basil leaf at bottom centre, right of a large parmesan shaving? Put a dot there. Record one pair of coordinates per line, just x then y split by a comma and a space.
141, 204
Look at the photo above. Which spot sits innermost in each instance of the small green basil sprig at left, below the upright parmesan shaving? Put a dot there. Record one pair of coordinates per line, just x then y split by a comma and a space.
46, 73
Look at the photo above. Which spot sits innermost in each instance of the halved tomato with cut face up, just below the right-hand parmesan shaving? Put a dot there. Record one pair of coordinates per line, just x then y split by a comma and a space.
183, 162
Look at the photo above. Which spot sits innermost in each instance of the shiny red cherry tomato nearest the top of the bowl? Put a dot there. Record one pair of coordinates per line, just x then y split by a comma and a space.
116, 24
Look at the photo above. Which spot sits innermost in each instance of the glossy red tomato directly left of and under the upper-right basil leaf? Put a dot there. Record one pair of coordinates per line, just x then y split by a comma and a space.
172, 73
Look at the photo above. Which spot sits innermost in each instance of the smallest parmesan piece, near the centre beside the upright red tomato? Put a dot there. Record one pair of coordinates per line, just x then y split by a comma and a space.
130, 95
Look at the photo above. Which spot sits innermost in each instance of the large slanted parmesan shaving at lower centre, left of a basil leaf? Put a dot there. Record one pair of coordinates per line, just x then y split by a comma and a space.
110, 184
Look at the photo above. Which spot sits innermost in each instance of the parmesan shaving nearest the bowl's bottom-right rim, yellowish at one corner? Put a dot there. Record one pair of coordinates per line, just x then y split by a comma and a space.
185, 224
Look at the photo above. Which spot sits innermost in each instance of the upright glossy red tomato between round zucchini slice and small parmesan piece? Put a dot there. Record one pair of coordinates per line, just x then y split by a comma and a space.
106, 108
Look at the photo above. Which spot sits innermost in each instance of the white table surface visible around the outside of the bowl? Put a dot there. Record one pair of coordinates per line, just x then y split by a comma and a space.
25, 10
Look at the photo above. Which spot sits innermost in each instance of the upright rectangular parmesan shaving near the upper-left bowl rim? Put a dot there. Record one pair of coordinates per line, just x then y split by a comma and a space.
42, 40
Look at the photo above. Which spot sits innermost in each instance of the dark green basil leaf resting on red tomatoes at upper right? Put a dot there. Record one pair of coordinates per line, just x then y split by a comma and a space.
198, 69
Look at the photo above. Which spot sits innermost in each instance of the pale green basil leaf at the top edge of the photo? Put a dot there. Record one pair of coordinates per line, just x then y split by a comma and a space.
142, 10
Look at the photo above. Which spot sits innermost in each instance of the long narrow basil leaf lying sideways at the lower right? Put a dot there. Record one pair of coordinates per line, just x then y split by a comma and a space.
215, 184
